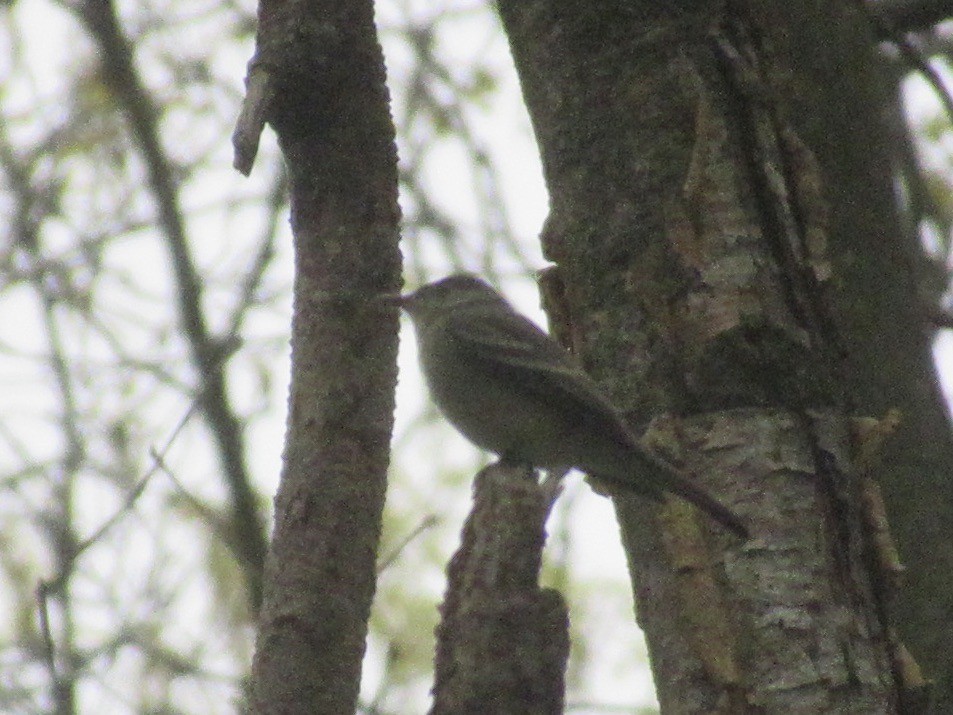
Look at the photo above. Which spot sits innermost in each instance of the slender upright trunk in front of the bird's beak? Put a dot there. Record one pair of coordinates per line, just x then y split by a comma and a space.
329, 107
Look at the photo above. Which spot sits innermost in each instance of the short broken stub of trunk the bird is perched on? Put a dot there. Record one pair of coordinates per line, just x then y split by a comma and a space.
502, 642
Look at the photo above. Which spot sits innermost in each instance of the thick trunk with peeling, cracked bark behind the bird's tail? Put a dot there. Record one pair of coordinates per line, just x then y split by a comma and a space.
692, 237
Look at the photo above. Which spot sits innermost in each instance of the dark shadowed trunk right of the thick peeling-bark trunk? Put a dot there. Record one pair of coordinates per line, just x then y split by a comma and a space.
834, 92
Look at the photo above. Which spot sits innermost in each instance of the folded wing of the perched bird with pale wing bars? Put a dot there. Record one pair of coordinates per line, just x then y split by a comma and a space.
537, 364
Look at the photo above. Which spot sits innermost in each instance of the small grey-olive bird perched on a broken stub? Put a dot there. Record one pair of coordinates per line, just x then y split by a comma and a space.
512, 390
